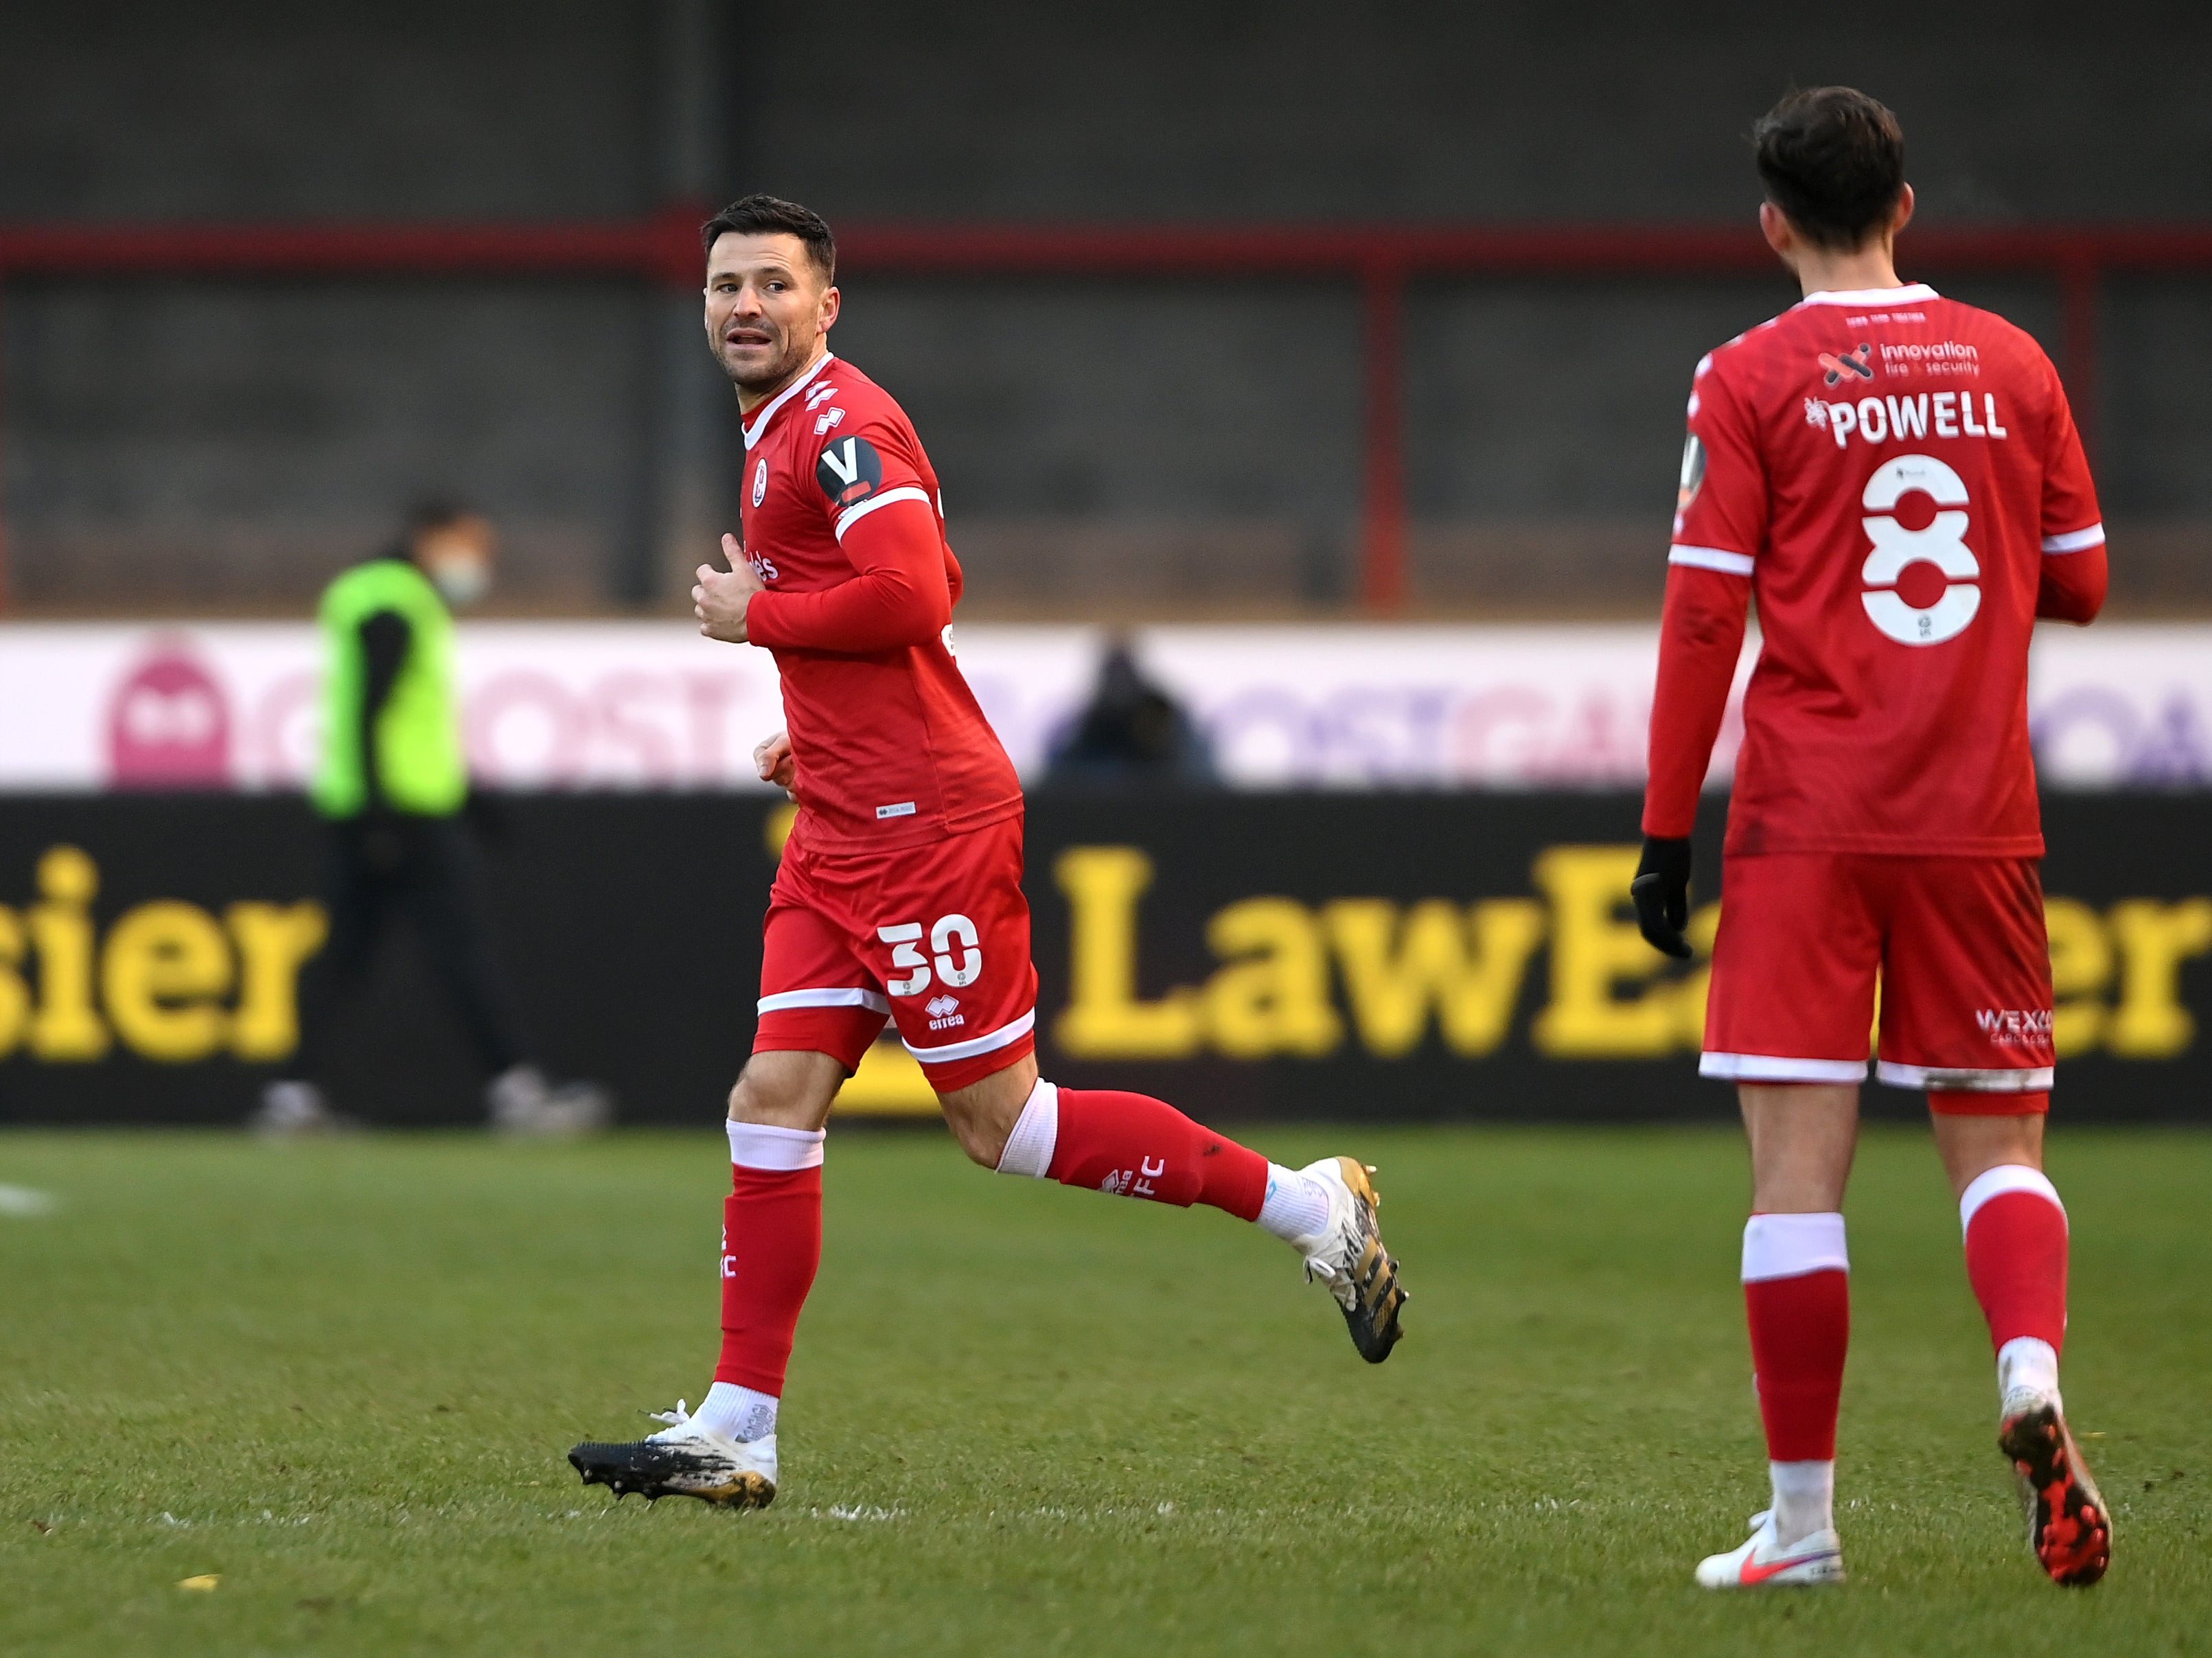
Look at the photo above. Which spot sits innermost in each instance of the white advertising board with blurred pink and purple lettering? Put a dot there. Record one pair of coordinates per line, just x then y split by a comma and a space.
654, 706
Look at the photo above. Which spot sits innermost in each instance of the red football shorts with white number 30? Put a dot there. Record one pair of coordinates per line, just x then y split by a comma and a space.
930, 936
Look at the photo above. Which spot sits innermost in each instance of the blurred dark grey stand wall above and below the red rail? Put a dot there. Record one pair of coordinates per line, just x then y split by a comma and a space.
1131, 443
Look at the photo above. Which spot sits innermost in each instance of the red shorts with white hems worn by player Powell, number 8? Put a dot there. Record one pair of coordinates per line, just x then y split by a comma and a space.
1959, 949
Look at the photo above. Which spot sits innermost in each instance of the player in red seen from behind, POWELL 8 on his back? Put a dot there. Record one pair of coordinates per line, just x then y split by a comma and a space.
1899, 483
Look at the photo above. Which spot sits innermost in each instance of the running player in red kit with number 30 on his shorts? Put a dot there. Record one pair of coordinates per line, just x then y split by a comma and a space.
901, 883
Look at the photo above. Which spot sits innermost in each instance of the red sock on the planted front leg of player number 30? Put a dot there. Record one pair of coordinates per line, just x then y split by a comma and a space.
771, 1246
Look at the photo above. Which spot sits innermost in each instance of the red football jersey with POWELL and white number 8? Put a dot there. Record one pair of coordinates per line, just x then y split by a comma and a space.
1890, 470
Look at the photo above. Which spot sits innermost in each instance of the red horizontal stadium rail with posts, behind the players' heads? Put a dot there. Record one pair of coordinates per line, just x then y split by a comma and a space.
1381, 260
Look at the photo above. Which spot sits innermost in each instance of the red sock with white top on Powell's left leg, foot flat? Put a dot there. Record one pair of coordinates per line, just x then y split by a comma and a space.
1797, 1294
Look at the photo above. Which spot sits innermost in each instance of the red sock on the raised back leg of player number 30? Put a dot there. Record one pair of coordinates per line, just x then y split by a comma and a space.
1145, 1148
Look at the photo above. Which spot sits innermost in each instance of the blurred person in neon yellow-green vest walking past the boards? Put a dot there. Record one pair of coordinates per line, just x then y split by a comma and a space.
390, 786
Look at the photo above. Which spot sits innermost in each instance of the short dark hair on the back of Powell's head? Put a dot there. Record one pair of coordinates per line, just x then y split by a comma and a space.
1833, 160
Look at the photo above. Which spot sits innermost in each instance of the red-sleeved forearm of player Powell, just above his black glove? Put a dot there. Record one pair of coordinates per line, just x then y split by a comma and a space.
1700, 642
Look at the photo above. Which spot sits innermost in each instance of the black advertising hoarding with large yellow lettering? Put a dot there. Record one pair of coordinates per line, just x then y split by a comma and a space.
1328, 956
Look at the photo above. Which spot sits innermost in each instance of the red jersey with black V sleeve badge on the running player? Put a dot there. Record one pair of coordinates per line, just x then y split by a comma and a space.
890, 744
